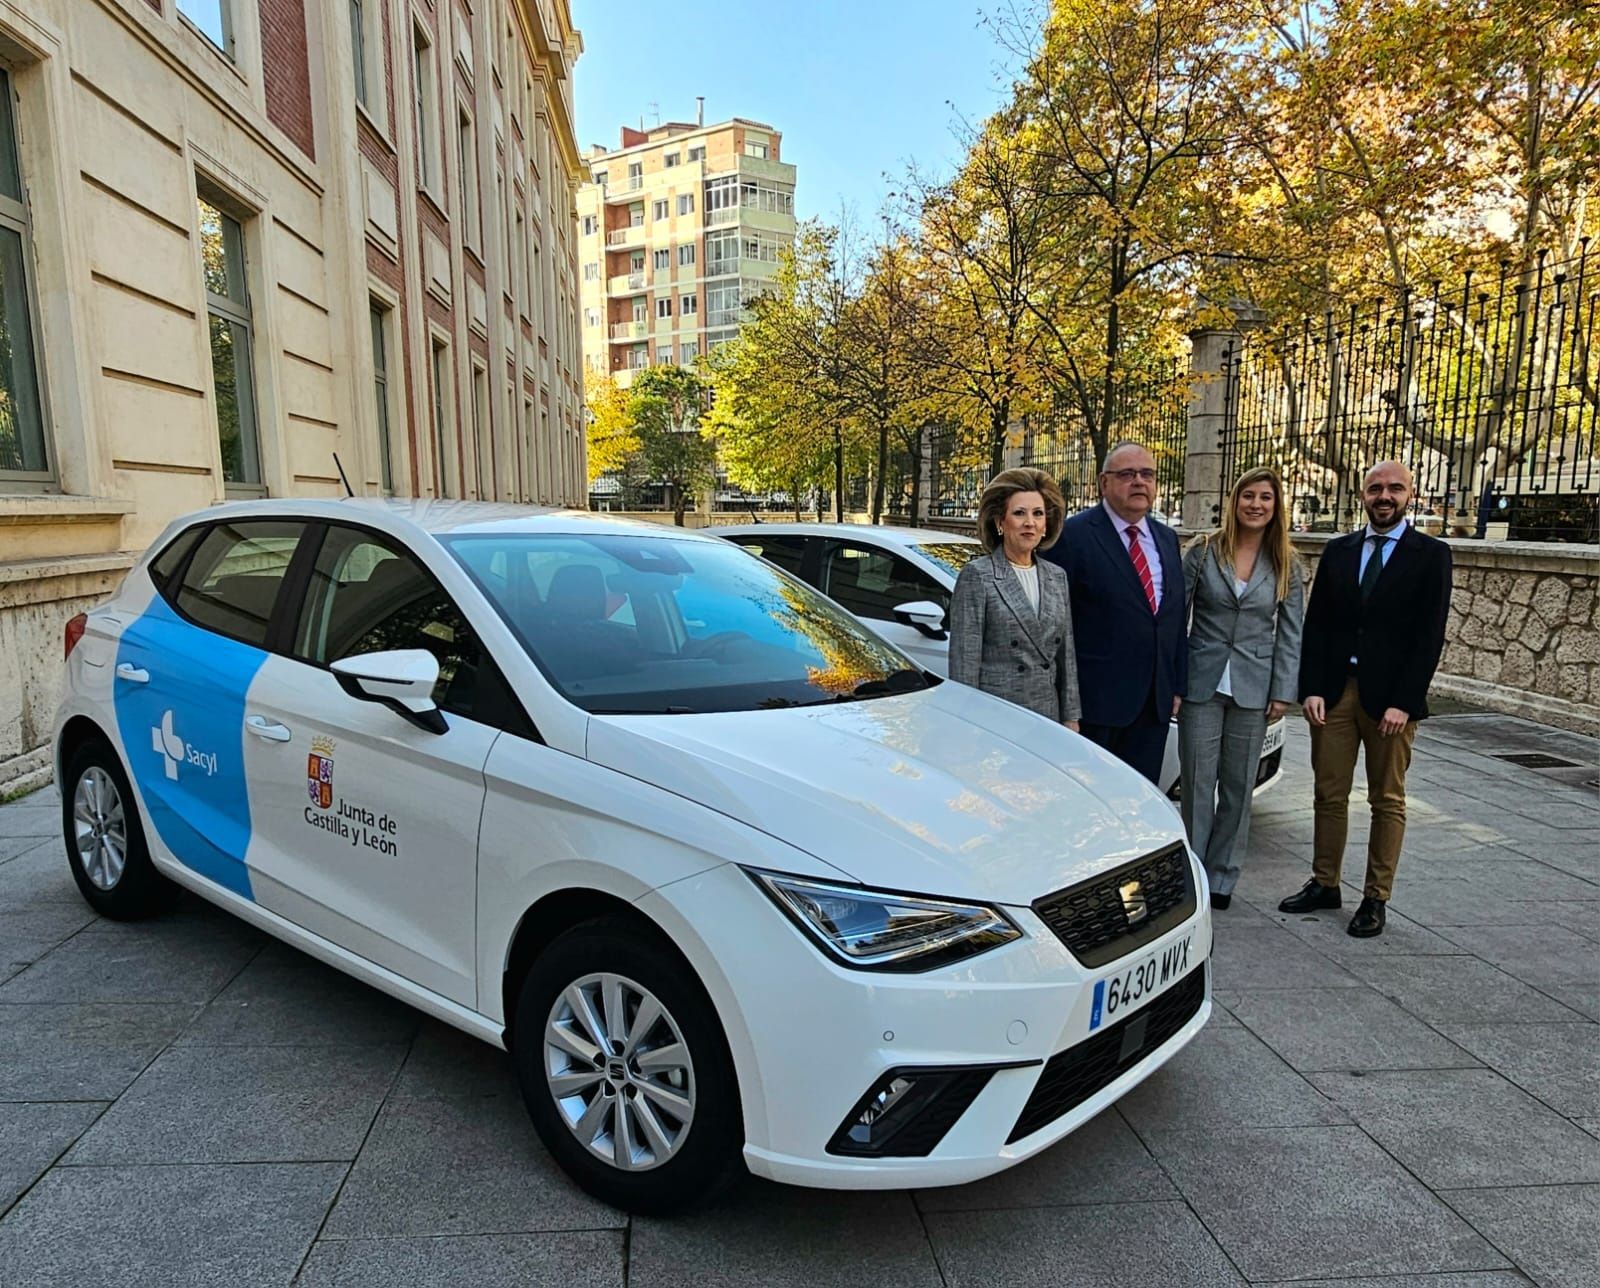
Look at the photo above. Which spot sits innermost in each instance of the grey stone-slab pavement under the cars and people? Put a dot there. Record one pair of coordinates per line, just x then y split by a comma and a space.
190, 1103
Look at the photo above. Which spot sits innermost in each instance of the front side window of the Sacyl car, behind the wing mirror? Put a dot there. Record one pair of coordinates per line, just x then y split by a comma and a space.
366, 596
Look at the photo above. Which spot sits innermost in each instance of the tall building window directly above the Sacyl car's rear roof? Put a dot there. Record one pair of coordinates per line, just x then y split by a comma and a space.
228, 316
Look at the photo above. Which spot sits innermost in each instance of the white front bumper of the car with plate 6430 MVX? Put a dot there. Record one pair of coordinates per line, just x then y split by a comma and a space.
810, 1038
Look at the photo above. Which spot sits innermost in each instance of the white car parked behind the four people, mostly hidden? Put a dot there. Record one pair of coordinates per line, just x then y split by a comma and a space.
900, 583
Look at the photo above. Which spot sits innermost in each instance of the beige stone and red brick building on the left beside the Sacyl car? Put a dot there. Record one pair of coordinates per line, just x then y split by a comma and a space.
241, 238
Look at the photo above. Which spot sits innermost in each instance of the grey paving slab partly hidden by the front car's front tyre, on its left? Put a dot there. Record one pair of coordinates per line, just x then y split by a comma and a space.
452, 1167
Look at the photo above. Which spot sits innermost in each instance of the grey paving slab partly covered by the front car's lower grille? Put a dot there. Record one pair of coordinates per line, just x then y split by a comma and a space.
1102, 1162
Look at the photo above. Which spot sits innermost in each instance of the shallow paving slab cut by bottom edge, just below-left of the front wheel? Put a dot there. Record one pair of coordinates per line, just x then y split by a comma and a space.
580, 1260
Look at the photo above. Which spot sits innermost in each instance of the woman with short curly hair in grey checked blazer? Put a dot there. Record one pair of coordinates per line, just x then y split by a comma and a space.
1010, 617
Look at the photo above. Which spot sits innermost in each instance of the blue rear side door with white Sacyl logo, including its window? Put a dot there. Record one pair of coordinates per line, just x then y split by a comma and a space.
183, 676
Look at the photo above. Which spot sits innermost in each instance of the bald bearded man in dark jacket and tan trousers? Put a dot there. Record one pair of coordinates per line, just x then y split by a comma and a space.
1374, 634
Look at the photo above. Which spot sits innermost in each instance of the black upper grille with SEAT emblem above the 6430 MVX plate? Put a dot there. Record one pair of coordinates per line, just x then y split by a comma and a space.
1092, 919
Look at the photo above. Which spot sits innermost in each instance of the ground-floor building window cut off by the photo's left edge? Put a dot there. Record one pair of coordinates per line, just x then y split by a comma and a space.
23, 447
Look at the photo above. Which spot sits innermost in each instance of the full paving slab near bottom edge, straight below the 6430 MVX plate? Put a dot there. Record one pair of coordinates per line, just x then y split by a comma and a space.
1095, 1247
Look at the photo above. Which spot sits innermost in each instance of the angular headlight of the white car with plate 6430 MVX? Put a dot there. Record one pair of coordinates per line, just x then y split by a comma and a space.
879, 930
